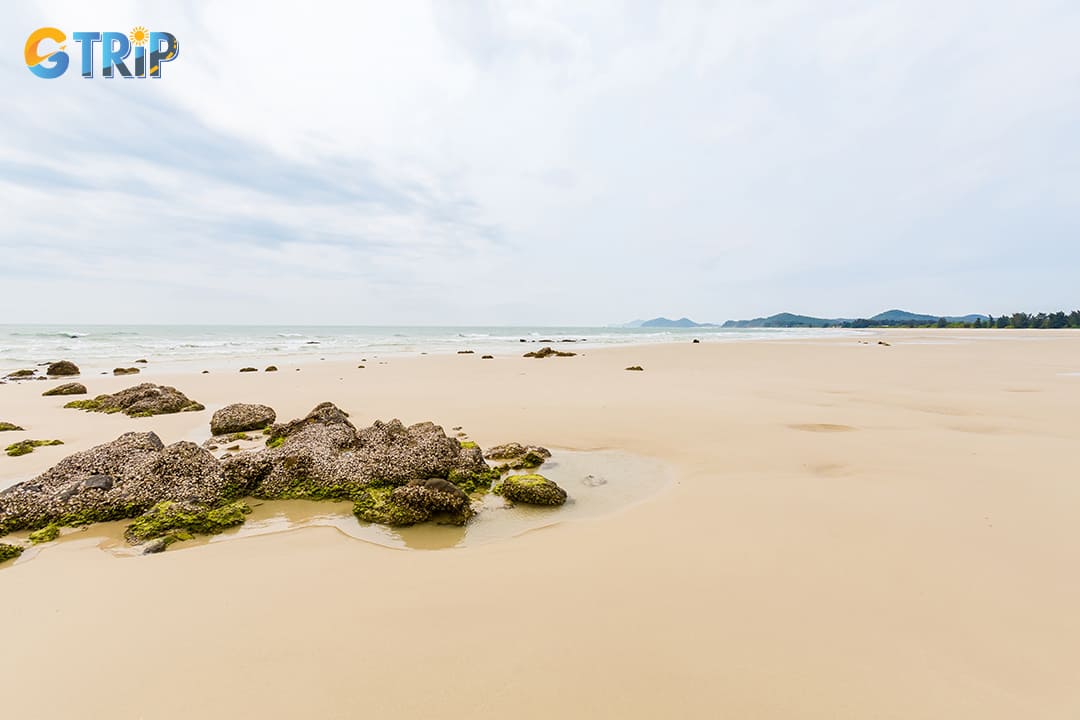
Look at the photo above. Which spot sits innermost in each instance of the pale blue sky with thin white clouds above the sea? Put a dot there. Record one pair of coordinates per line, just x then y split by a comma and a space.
531, 164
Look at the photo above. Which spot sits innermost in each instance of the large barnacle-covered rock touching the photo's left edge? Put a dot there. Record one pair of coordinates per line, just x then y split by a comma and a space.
116, 481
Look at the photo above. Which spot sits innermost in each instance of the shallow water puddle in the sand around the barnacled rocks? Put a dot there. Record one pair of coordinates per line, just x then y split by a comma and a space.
599, 483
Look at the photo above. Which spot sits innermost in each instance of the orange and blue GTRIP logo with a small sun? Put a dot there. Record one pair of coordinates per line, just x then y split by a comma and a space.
47, 57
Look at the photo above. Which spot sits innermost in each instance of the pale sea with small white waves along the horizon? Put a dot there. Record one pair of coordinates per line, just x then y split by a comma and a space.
107, 346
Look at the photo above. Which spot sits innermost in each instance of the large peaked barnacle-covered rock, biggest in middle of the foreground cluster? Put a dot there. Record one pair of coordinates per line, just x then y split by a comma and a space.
325, 456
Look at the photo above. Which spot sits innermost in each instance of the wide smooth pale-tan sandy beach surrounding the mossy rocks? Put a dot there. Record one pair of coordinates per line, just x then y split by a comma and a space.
854, 532
